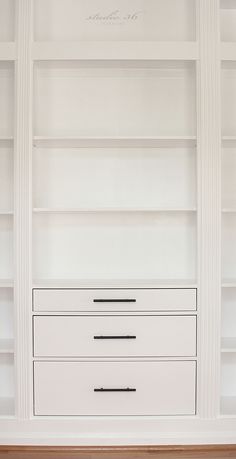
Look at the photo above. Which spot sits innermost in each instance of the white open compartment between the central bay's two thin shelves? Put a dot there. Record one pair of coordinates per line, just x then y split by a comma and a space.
114, 178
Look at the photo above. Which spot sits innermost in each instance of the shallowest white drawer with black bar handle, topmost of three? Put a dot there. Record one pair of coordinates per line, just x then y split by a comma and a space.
107, 300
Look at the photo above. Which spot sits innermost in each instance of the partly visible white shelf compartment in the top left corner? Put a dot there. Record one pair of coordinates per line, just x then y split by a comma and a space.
7, 20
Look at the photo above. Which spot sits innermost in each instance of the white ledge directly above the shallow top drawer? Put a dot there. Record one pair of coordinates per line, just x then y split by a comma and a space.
114, 283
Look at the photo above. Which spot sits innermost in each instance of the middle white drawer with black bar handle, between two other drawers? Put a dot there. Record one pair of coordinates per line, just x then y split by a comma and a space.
114, 336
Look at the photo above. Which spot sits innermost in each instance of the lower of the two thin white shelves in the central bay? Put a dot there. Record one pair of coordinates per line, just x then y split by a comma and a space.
39, 210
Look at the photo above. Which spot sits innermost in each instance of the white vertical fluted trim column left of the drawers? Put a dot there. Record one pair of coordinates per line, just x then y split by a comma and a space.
22, 176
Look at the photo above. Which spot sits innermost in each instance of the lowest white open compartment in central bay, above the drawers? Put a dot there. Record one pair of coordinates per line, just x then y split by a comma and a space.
115, 246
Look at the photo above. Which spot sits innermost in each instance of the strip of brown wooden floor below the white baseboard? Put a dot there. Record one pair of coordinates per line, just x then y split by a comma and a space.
199, 452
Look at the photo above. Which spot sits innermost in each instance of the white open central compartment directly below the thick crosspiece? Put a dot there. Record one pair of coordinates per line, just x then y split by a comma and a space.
112, 99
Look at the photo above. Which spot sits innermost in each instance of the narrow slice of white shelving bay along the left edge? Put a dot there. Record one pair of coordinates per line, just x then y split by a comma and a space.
7, 377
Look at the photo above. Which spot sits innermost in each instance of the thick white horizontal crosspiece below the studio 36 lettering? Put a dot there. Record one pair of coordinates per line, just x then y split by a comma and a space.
115, 50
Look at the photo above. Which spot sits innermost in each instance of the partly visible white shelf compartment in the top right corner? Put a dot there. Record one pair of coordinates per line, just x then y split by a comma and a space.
228, 20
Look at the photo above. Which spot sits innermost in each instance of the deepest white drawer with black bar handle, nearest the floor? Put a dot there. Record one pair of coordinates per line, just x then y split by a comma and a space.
114, 388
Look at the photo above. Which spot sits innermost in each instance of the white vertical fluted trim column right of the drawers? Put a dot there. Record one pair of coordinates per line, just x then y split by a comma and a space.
209, 205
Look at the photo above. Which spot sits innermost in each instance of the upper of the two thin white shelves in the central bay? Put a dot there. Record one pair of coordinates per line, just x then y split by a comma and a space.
109, 142
